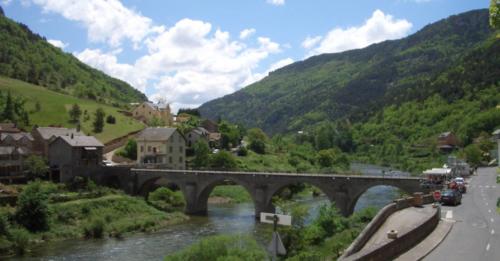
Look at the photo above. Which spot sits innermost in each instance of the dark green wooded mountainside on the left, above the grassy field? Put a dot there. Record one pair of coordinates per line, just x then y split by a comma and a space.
26, 56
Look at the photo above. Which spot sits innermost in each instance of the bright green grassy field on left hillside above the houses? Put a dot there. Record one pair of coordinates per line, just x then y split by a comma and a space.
55, 107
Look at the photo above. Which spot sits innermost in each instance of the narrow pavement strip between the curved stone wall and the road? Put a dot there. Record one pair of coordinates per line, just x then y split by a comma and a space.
431, 242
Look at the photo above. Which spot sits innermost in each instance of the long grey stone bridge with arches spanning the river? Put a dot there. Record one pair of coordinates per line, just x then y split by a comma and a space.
196, 186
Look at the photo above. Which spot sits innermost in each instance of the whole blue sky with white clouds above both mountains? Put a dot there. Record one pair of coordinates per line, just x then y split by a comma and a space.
190, 51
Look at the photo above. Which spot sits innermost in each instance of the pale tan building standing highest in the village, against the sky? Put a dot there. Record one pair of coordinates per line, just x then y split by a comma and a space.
147, 111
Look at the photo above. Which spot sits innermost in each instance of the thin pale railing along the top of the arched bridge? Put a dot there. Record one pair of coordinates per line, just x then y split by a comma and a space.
212, 172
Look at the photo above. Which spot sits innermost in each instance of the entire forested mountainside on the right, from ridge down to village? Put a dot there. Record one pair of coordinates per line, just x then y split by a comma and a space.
386, 103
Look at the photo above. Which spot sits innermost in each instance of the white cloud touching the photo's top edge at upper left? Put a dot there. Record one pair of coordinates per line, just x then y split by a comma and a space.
106, 21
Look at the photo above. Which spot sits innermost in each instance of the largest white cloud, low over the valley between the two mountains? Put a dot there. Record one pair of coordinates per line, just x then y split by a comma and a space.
188, 63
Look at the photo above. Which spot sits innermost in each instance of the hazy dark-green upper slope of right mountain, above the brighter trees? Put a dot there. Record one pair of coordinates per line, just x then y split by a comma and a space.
358, 83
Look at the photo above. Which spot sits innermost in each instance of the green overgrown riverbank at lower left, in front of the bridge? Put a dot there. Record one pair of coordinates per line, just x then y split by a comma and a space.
93, 212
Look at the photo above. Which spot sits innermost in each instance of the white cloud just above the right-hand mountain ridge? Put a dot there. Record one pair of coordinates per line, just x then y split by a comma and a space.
379, 27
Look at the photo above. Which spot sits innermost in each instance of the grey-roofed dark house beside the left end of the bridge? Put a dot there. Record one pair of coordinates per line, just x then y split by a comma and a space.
75, 151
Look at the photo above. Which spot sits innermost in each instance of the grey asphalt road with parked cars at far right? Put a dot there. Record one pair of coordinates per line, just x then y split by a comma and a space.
476, 233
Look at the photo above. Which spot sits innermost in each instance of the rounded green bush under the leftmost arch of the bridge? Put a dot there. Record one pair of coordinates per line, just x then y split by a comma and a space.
166, 199
